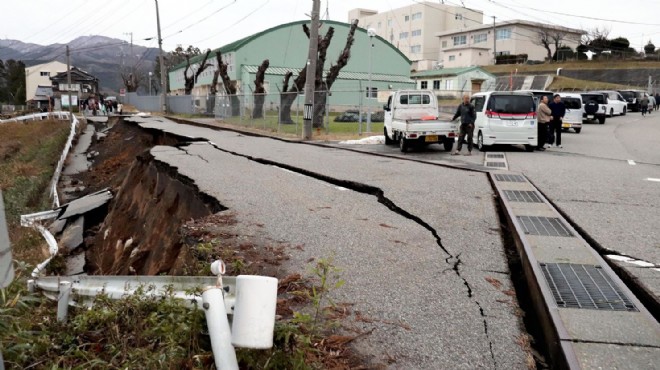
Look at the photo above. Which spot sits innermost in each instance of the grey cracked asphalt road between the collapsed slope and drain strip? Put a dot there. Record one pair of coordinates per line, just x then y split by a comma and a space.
419, 245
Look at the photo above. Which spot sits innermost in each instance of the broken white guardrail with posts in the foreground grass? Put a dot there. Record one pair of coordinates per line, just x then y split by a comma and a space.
250, 299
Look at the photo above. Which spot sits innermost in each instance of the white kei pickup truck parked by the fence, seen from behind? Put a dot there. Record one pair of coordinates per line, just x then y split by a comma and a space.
411, 118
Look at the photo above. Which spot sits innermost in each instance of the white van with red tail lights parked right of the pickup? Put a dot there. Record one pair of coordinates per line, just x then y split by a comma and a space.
505, 118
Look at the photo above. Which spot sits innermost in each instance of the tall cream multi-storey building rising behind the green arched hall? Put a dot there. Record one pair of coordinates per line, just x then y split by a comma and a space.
412, 29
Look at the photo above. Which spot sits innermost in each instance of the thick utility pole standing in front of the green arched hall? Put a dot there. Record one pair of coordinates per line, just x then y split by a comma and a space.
312, 59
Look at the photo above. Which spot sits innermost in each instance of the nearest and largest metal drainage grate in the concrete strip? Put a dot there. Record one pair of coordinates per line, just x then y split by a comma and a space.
584, 286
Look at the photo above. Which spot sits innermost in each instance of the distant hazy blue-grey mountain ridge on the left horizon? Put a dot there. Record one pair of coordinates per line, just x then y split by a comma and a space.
103, 57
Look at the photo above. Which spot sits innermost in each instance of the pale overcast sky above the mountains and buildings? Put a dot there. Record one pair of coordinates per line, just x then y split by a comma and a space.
213, 23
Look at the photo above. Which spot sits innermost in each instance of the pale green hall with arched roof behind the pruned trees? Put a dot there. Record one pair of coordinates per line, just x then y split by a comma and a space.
286, 47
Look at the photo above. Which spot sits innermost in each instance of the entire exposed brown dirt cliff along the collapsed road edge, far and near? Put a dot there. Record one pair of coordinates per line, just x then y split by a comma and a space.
141, 232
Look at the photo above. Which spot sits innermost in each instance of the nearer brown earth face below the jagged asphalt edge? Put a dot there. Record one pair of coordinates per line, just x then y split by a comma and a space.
140, 235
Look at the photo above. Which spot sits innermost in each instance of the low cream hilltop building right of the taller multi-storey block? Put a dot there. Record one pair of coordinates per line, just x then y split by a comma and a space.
473, 46
